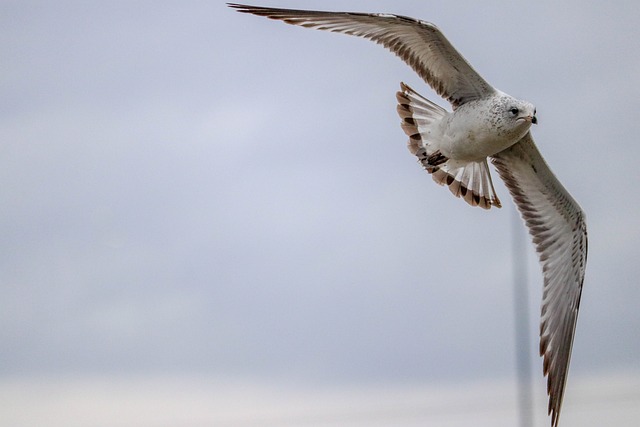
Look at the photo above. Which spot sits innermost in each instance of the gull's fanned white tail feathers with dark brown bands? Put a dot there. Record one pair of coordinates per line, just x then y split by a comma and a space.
469, 180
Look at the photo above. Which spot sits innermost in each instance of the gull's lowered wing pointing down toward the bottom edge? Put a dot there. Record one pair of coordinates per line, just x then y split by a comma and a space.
557, 225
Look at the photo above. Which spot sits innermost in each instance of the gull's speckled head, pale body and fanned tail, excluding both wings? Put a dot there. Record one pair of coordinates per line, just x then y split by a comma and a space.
453, 146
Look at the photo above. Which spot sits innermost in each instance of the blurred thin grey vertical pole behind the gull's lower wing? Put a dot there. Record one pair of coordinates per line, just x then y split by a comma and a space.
521, 305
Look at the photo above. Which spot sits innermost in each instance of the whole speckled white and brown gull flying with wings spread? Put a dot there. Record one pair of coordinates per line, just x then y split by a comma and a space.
455, 146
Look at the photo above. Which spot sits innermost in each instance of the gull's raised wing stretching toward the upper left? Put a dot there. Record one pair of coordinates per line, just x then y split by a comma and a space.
420, 44
